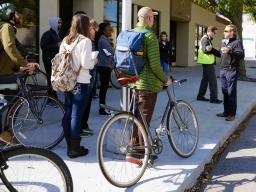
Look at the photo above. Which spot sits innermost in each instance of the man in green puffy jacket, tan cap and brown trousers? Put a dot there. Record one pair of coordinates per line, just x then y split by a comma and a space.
152, 77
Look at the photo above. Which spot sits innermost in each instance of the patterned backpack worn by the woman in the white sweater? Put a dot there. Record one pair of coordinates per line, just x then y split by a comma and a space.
64, 76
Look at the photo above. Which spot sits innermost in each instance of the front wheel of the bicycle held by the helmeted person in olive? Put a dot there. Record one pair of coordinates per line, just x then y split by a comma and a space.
38, 123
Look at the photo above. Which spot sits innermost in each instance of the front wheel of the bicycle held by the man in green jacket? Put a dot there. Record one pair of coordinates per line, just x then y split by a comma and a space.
182, 129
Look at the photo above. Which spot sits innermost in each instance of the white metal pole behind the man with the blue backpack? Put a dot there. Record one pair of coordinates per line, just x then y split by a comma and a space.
126, 24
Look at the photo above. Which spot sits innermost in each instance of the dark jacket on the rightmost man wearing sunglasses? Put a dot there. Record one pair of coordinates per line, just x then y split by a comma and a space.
231, 60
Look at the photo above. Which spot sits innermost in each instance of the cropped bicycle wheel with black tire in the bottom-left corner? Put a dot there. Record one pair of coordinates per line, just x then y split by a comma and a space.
35, 169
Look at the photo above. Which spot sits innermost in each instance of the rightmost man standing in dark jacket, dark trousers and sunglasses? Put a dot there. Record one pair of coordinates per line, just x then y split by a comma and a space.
232, 53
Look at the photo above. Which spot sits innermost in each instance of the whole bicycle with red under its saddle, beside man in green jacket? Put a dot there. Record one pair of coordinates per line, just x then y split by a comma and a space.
126, 146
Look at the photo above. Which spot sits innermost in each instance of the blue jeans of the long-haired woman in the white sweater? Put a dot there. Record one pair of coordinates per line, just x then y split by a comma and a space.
75, 104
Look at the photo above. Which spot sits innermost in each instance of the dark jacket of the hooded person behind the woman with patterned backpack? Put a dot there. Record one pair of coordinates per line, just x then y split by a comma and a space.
49, 45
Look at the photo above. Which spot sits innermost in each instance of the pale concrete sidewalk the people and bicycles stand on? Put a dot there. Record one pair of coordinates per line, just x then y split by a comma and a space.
170, 172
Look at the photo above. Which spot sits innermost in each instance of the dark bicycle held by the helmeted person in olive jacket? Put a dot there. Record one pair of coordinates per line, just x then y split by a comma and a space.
33, 117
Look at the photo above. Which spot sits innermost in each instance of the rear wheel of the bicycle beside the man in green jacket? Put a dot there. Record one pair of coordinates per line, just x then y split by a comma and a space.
123, 150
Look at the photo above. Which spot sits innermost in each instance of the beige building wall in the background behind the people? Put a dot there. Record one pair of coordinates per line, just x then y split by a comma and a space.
185, 30
